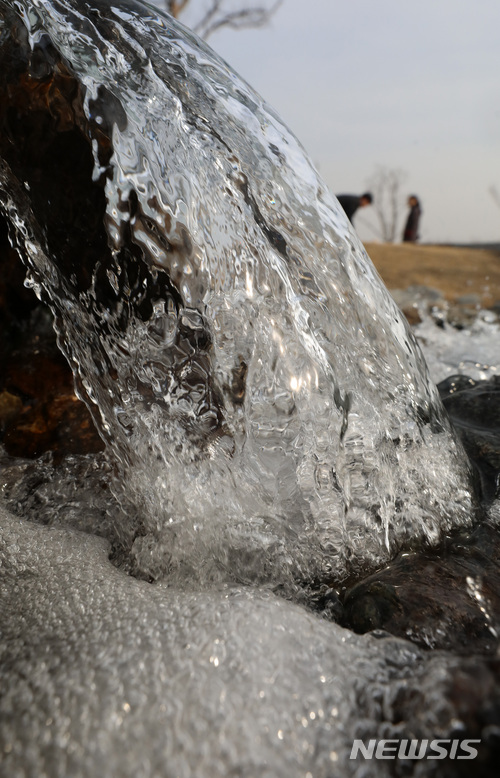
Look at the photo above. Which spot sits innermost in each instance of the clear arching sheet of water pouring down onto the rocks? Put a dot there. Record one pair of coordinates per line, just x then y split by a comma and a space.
267, 411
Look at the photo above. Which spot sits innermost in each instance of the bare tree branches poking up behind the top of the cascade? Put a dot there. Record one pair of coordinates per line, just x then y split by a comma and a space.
218, 15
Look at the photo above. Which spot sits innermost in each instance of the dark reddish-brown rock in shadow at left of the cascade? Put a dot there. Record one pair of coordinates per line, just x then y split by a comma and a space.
39, 410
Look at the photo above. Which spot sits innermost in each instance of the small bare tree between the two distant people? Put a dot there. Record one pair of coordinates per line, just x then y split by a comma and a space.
385, 185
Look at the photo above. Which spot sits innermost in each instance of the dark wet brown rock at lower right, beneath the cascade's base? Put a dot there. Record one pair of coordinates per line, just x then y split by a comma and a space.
439, 600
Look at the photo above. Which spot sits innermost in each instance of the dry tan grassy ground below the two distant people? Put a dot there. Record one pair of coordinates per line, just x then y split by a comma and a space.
455, 272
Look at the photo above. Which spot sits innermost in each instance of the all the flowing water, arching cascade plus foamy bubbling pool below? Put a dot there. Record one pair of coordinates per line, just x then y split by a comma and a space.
269, 420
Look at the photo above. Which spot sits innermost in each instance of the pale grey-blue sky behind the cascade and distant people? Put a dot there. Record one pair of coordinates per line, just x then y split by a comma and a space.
413, 86
